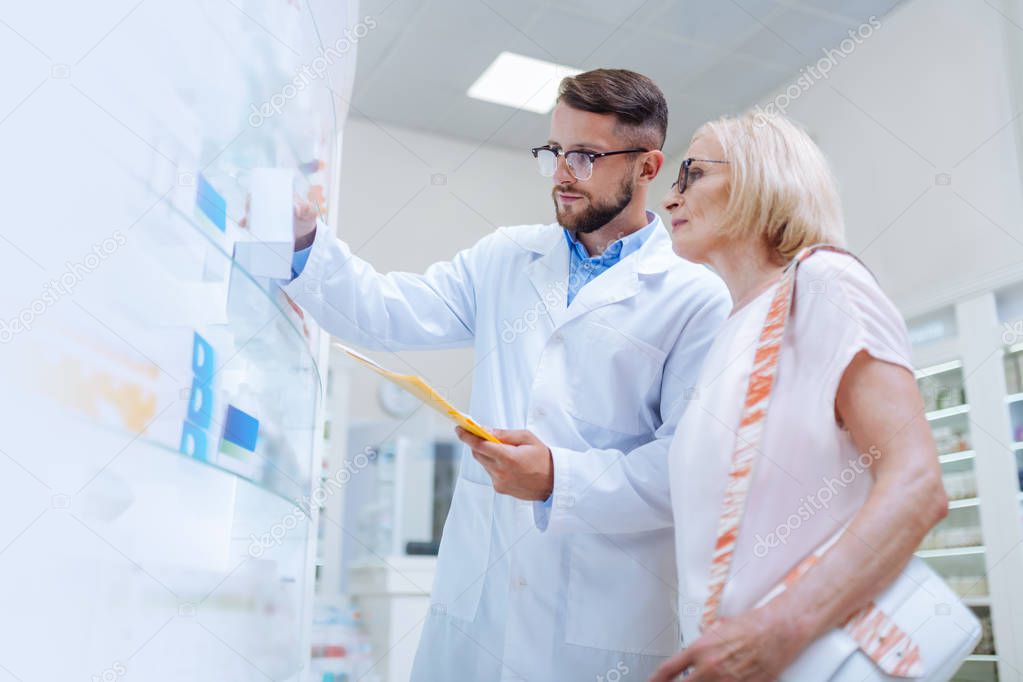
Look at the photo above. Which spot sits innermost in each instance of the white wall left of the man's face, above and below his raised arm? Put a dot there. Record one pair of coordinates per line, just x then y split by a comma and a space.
394, 216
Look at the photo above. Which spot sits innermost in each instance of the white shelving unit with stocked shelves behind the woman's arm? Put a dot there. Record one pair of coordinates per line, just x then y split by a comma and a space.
967, 367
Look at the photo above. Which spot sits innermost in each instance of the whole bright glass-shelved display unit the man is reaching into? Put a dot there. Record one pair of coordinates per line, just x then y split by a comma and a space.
163, 410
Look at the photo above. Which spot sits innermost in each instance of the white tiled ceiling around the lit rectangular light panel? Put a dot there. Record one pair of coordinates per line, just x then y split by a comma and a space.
709, 57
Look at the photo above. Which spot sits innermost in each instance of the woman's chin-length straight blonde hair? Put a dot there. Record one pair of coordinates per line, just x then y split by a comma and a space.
782, 187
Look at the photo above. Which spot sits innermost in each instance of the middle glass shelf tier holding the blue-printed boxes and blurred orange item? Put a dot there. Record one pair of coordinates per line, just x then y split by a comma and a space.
236, 386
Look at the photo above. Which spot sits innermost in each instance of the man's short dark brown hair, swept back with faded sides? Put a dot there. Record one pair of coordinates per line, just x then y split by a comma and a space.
635, 101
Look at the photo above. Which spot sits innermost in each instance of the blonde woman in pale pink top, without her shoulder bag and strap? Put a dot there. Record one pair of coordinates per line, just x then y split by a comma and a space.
844, 441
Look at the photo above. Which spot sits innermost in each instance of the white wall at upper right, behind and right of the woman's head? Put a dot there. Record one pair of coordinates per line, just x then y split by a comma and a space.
928, 94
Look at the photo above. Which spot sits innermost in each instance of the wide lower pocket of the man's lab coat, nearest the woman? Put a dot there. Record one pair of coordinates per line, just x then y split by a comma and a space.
622, 593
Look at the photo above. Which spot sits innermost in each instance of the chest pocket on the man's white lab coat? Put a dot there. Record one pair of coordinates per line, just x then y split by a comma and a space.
614, 381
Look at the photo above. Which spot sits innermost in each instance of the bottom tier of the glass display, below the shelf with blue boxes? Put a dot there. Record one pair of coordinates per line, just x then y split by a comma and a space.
139, 537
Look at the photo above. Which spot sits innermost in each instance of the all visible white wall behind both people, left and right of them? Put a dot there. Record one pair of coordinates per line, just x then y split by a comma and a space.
927, 95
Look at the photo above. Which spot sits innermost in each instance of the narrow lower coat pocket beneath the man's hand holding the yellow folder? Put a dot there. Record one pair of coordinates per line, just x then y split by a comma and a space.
465, 552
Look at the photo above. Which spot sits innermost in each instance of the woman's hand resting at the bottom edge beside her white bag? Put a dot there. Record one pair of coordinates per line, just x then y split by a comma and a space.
754, 647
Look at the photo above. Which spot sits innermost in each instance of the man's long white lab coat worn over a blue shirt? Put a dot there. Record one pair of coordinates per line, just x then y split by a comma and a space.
602, 382
